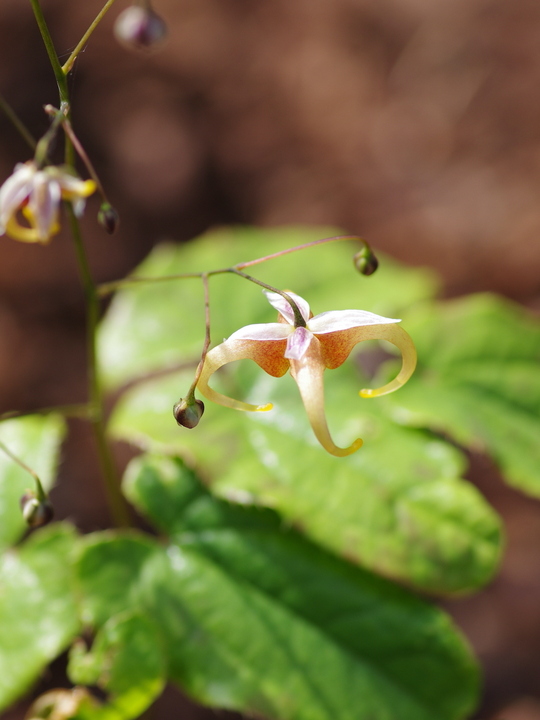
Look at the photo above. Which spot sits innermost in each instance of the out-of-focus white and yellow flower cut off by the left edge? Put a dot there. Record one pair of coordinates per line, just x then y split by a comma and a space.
36, 194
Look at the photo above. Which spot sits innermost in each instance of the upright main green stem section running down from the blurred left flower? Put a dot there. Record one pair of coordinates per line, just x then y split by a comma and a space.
115, 499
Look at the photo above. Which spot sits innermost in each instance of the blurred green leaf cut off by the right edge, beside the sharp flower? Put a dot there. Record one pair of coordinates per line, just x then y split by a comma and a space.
478, 381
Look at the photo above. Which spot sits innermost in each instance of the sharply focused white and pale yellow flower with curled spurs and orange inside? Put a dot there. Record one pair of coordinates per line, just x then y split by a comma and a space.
322, 342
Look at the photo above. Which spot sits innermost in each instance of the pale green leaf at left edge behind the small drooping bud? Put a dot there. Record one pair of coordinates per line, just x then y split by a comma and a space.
36, 440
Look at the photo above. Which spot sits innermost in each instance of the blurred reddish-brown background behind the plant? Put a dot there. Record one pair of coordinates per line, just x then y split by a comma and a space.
411, 122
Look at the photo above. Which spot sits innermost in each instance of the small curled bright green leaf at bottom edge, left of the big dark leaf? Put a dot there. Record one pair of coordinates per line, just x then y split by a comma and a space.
126, 661
